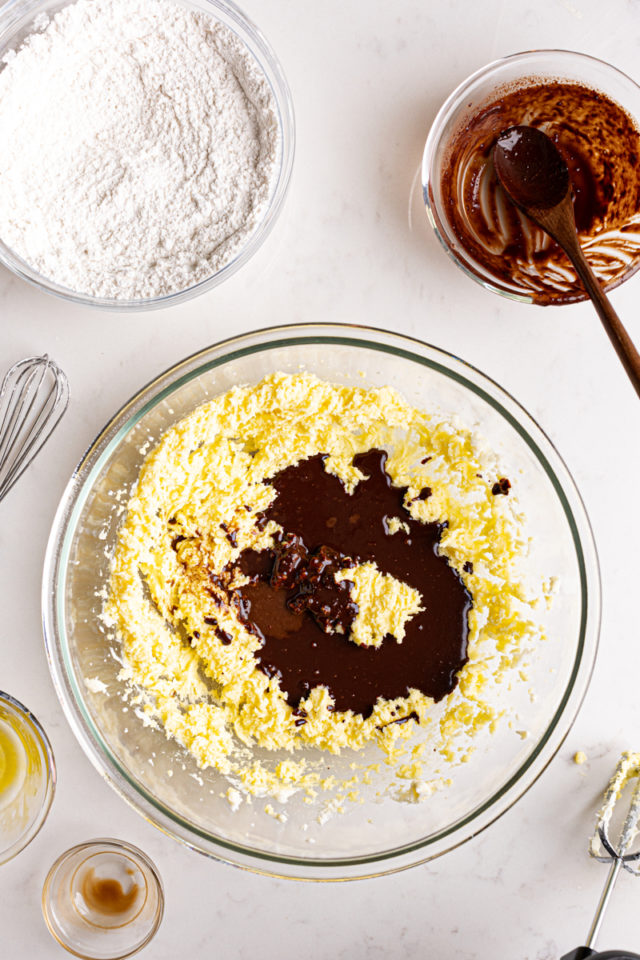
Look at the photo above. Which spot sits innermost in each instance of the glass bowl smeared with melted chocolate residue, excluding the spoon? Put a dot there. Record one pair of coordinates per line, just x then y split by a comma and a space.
590, 111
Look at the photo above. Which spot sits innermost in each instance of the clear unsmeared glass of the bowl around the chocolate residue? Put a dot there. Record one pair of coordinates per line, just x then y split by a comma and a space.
478, 90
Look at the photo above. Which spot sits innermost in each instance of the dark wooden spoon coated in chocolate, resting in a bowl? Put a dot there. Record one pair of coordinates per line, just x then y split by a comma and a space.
536, 179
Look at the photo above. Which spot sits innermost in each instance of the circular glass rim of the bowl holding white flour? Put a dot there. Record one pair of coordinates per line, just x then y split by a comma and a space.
261, 50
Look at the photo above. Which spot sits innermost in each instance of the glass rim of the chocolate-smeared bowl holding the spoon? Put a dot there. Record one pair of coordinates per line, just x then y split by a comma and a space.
446, 111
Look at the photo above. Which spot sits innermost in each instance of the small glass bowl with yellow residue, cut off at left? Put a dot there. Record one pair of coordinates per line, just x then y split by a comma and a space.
26, 793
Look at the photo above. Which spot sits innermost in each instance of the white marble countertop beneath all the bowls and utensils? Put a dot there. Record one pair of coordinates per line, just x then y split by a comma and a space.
353, 245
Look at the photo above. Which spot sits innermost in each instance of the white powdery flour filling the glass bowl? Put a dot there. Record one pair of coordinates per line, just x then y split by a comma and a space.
140, 145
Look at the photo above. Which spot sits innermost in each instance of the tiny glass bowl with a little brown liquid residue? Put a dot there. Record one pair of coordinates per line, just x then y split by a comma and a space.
103, 900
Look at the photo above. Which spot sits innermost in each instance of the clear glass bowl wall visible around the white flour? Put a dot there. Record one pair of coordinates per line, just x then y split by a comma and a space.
16, 23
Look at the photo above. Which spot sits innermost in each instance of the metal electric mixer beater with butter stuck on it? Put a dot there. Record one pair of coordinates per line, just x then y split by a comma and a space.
619, 853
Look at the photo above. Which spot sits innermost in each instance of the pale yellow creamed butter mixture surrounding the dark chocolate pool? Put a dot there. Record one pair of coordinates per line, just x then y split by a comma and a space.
209, 470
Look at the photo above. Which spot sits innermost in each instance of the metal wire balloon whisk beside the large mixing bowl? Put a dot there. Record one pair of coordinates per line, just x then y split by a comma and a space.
33, 397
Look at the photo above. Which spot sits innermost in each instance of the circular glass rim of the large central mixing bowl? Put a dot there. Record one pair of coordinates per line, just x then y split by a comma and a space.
63, 530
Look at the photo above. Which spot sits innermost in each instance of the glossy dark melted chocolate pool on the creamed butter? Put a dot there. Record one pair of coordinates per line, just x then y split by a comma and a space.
303, 616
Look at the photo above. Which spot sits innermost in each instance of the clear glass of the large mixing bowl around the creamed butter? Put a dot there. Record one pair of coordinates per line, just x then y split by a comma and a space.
376, 837
